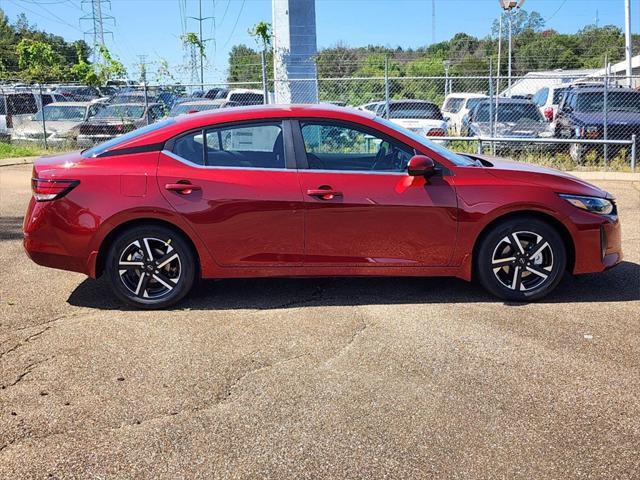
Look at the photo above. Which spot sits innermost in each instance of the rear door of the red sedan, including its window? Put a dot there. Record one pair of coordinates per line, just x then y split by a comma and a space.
234, 184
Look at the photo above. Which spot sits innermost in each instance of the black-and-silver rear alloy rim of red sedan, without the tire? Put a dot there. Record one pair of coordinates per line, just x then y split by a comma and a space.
150, 268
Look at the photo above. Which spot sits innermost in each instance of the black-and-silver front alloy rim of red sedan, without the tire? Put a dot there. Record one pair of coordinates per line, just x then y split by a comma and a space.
522, 261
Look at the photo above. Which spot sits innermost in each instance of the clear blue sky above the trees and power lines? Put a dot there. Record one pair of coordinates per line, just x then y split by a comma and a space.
153, 27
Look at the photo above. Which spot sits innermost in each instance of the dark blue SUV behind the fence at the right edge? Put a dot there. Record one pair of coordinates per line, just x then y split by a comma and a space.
581, 115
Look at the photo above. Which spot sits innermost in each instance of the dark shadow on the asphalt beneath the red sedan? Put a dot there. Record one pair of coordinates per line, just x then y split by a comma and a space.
621, 284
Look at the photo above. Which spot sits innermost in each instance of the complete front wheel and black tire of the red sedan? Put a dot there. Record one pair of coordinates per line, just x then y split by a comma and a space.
521, 259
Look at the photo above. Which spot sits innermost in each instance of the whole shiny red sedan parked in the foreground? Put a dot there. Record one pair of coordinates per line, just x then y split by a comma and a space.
275, 191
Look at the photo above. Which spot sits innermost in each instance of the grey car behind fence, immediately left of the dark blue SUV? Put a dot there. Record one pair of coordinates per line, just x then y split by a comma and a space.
512, 118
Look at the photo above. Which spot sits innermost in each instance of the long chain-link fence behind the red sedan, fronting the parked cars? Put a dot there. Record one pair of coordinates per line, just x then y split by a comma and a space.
565, 120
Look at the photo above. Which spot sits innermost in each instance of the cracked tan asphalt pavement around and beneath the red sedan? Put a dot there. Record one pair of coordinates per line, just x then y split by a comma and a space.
318, 378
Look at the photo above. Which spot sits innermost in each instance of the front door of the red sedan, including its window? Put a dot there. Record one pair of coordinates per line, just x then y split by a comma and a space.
362, 208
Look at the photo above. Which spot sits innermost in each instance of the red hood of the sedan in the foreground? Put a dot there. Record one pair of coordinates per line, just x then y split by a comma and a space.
560, 182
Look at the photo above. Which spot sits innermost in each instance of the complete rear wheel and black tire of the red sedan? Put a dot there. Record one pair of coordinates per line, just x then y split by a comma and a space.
150, 280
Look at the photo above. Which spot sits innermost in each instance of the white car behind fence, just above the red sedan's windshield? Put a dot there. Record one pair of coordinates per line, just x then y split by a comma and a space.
419, 116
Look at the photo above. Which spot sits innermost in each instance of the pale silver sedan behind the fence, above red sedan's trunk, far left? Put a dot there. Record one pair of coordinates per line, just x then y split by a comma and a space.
61, 119
